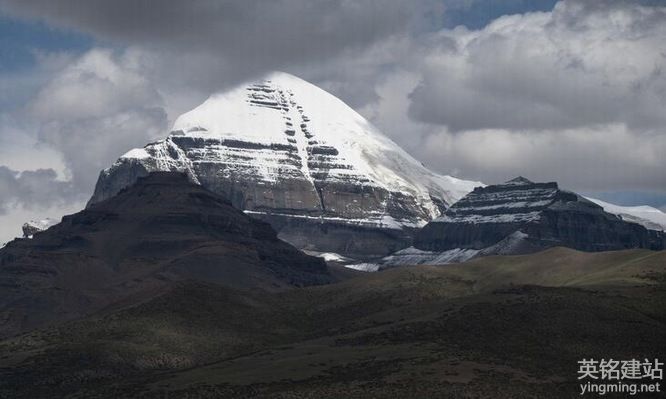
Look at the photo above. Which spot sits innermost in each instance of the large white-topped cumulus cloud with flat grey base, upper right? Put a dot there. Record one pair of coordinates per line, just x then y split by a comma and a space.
583, 63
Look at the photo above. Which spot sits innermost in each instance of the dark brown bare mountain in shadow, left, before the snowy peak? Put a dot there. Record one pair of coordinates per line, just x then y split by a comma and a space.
161, 230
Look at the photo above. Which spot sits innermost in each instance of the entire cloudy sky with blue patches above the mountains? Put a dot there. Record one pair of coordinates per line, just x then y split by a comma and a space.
572, 91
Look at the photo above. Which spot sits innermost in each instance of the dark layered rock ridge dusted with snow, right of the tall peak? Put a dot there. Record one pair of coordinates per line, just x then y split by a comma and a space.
520, 216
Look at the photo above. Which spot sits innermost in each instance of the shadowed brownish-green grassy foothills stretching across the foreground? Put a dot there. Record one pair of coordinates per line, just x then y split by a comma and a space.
497, 327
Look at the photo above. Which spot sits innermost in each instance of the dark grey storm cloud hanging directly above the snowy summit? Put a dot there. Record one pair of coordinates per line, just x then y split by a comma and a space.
219, 42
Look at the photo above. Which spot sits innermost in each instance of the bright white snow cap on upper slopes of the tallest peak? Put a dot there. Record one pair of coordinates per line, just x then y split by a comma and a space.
284, 109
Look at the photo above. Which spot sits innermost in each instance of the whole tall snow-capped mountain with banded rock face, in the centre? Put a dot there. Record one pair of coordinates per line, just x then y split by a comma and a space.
282, 148
